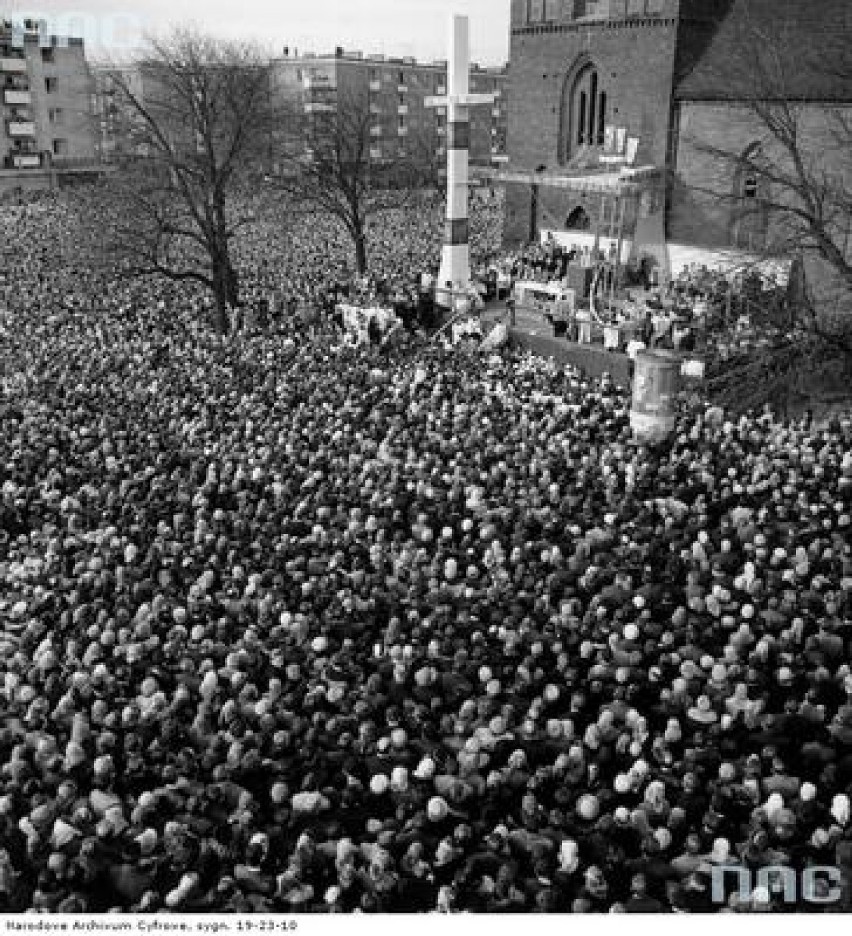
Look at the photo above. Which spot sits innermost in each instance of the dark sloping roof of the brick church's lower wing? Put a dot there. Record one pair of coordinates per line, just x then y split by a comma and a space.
768, 49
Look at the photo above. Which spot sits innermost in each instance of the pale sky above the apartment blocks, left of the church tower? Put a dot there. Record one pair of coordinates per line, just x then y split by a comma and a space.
390, 27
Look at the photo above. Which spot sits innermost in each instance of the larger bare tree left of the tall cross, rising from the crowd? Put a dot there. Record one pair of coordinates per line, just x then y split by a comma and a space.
202, 113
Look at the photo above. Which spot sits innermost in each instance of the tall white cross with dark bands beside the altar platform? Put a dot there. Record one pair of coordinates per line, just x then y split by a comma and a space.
454, 278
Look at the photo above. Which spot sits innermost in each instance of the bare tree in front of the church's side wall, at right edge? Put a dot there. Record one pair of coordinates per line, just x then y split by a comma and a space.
783, 181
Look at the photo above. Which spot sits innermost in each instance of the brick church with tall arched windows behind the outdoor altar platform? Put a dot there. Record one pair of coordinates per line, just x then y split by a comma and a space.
613, 101
